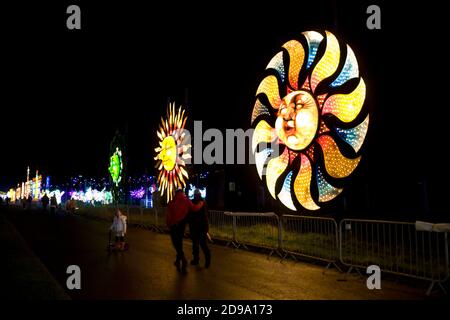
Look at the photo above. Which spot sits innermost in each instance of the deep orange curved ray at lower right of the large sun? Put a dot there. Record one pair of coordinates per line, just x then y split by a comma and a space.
336, 164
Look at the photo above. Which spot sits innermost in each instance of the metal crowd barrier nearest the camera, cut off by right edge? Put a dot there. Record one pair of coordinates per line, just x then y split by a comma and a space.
397, 248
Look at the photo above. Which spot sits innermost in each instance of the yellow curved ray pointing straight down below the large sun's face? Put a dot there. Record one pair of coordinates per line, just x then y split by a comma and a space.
302, 185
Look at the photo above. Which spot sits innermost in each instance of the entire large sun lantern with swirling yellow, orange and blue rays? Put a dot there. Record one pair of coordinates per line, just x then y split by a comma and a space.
310, 104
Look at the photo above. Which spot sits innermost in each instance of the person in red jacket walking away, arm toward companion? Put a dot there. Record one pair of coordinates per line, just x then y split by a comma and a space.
177, 210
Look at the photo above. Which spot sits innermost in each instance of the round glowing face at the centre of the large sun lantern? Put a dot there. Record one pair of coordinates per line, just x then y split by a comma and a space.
297, 120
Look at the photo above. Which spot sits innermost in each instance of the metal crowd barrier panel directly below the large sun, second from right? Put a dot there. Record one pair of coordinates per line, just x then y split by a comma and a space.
311, 237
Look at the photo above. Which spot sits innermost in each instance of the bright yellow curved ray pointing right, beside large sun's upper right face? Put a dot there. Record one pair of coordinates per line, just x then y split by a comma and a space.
346, 107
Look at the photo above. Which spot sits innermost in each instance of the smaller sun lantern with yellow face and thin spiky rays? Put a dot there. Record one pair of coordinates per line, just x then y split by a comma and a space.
172, 152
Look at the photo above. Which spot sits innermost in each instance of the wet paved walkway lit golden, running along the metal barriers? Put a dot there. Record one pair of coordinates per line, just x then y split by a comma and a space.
146, 270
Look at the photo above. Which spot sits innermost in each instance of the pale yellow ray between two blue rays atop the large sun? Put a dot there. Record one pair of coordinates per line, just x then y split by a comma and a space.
328, 64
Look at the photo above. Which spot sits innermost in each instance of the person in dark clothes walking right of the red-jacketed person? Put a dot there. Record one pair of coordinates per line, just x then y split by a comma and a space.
198, 229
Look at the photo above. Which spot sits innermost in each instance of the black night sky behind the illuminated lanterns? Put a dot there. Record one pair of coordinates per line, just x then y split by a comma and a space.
64, 93
